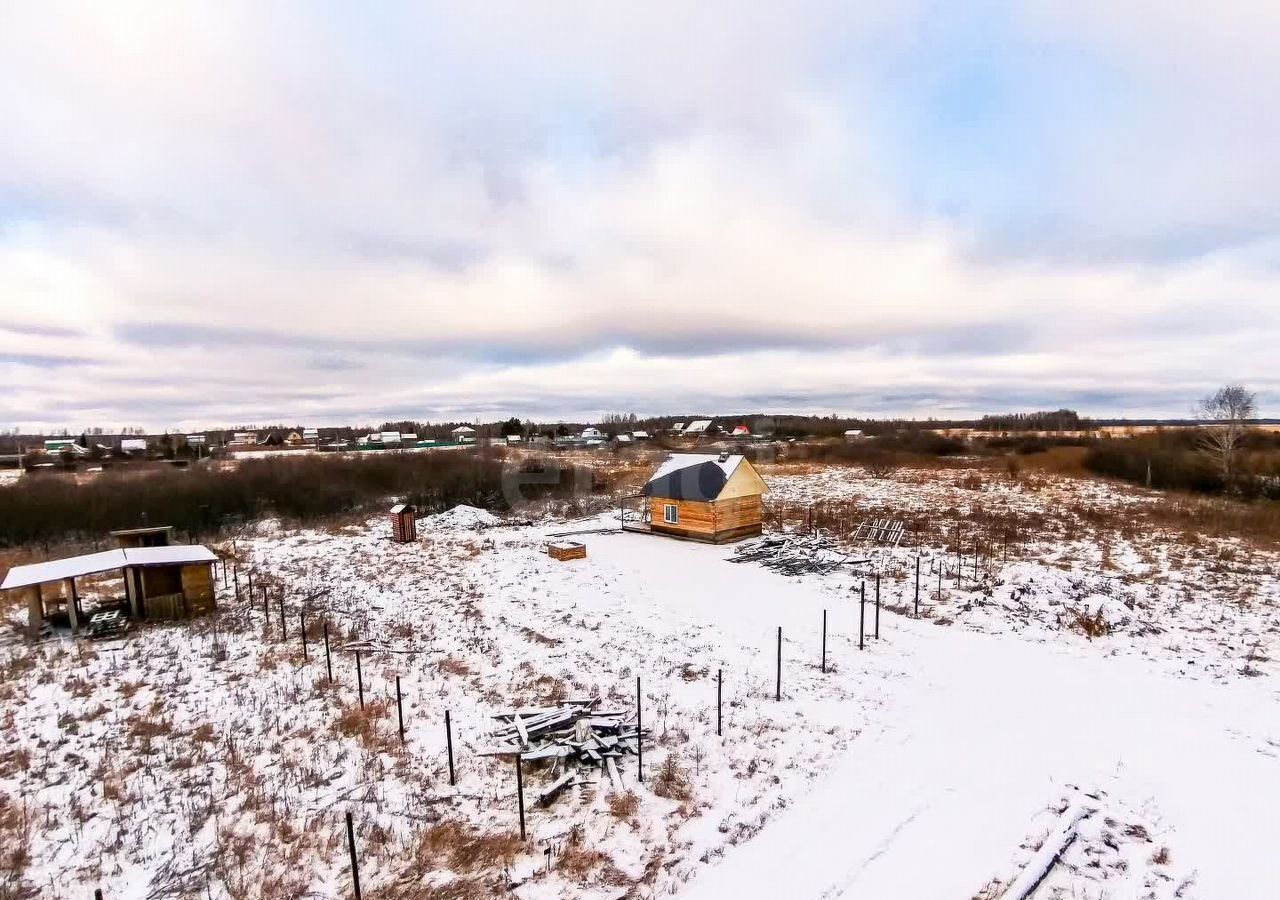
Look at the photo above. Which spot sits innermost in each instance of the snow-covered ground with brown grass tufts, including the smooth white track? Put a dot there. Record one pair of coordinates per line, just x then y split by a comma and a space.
212, 760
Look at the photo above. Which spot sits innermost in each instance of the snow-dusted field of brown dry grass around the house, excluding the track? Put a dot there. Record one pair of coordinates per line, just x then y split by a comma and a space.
217, 760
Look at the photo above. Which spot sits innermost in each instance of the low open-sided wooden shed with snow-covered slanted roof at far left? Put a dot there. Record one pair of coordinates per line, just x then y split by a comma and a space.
173, 582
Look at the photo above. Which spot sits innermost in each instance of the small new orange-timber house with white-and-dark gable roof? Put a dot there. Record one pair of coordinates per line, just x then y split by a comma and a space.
706, 497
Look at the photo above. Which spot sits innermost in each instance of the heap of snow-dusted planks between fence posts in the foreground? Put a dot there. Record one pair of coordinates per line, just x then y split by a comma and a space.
577, 735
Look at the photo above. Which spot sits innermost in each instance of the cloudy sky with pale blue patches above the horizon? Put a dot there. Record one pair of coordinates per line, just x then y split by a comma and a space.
318, 213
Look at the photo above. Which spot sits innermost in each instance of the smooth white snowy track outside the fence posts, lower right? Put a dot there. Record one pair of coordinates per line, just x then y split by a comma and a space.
934, 802
